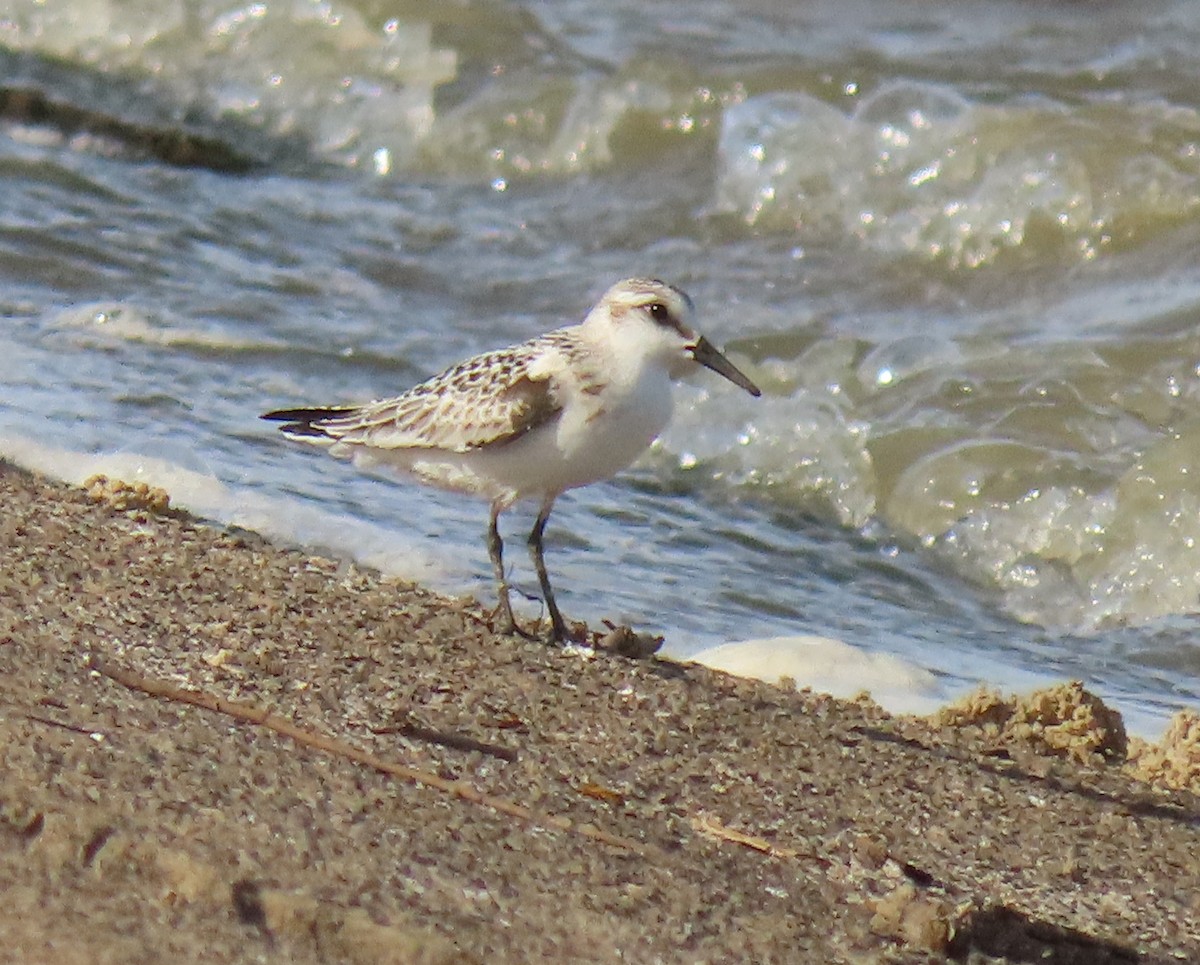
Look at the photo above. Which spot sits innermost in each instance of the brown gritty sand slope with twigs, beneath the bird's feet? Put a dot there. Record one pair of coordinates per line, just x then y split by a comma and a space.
376, 777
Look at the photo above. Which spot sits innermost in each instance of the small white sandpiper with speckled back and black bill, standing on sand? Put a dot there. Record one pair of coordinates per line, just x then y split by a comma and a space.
567, 409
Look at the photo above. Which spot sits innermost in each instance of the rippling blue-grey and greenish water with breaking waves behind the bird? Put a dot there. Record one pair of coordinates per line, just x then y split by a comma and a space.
955, 244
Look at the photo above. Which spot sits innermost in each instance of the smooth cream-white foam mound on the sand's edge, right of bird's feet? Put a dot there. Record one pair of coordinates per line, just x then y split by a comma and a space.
831, 667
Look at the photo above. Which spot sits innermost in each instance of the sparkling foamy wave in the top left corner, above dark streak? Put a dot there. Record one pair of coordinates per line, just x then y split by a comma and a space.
357, 91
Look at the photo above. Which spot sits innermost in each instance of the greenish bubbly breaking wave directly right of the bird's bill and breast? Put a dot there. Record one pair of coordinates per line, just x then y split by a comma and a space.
1063, 479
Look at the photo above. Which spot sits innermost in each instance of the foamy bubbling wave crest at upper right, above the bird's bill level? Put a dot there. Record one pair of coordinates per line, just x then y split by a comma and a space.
920, 170
